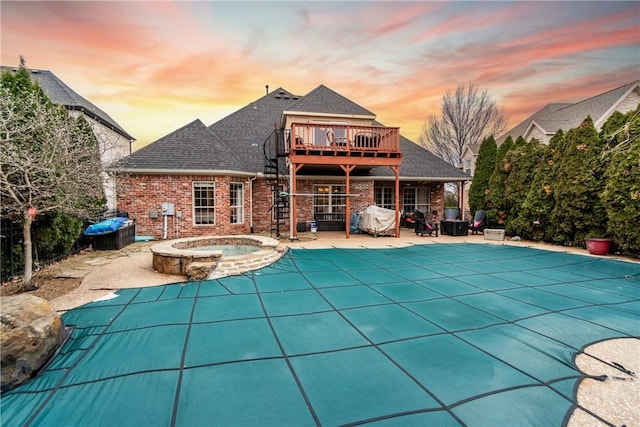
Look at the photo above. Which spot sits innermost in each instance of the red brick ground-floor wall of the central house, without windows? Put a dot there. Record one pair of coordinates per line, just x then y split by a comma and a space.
141, 195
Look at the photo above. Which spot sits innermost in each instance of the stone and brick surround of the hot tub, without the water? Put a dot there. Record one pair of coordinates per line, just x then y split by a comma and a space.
169, 259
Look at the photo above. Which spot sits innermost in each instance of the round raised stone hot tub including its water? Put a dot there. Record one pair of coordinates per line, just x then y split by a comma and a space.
245, 252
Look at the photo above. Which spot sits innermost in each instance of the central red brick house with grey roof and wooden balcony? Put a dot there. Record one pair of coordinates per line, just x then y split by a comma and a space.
278, 163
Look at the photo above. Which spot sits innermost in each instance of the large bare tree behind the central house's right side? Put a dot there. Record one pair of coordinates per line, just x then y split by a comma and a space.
467, 117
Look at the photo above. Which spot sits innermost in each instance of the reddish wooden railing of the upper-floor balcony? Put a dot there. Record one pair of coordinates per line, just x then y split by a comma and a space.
324, 138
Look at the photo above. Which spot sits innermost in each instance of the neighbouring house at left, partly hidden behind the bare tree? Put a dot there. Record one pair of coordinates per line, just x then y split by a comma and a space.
114, 141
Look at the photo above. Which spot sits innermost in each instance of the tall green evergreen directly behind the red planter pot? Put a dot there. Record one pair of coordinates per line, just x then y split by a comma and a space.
578, 182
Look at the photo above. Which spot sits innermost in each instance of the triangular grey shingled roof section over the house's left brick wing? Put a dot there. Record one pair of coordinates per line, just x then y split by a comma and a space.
191, 149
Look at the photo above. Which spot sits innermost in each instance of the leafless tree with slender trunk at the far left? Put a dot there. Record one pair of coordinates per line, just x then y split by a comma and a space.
49, 161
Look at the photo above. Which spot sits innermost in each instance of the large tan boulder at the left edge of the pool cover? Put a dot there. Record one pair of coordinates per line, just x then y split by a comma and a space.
30, 333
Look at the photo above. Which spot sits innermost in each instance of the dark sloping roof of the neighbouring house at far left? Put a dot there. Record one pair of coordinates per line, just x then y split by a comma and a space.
59, 93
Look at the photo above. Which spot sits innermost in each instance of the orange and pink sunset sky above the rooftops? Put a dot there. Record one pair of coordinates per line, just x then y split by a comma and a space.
155, 66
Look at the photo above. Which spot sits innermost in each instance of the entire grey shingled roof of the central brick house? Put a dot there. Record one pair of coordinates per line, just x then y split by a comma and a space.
234, 144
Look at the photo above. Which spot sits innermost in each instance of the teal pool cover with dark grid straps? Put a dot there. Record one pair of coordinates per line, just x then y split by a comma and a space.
428, 335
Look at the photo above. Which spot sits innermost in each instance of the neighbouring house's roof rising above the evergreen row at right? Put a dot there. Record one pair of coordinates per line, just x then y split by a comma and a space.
565, 116
